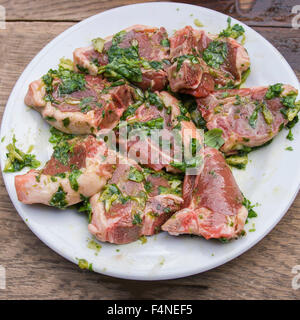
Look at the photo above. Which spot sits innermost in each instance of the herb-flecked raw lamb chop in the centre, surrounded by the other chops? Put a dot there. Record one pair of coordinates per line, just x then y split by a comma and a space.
157, 133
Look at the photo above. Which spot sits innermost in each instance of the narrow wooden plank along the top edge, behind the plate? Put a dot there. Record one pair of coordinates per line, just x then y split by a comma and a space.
254, 13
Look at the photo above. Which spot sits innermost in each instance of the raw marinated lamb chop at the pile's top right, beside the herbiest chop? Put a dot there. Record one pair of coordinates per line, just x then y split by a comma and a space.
202, 62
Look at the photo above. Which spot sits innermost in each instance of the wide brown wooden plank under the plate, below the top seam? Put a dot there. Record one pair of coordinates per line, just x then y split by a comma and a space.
35, 271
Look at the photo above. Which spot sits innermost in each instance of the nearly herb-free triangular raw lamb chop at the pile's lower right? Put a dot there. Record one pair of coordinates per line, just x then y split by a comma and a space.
213, 206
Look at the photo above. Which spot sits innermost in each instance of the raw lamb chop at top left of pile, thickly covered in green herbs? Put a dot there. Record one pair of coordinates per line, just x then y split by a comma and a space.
139, 54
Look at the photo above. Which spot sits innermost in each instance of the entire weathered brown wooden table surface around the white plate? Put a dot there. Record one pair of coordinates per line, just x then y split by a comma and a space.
35, 271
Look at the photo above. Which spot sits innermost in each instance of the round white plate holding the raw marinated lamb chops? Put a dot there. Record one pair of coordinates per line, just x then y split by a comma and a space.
271, 178
